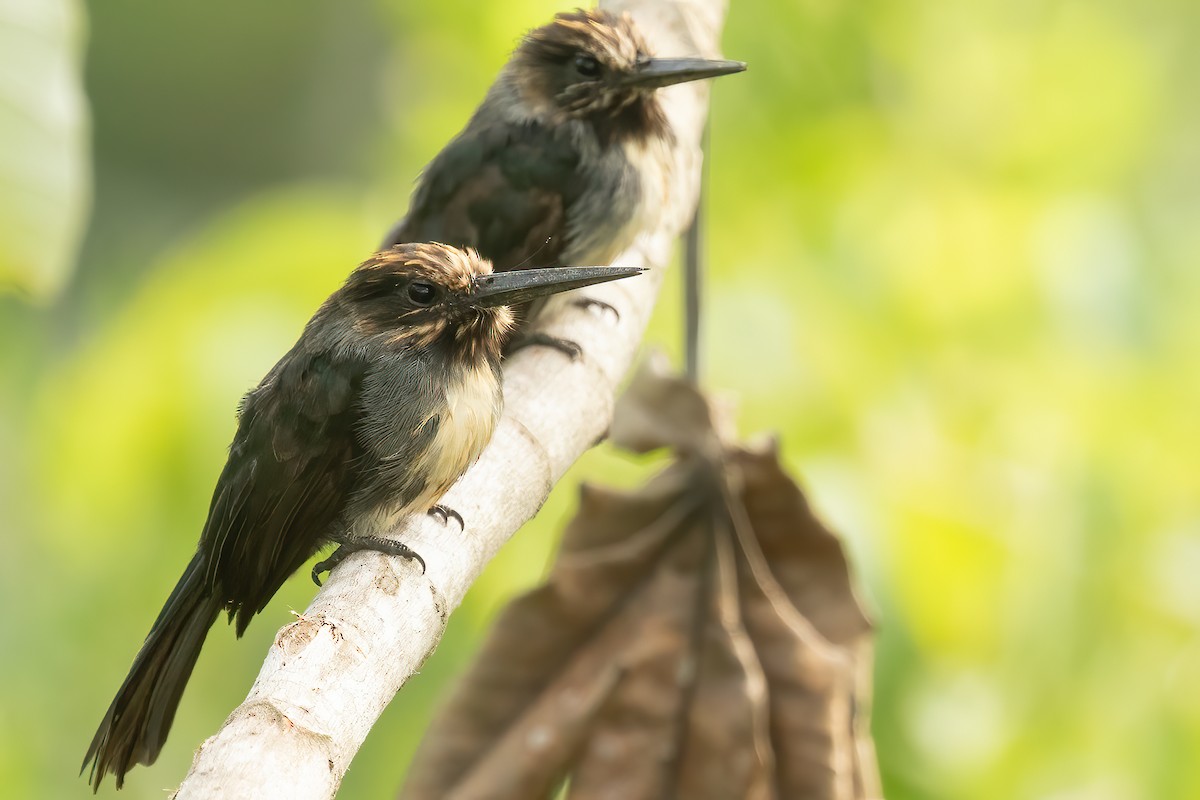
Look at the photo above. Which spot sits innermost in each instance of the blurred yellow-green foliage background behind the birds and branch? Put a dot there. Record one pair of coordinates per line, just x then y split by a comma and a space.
955, 264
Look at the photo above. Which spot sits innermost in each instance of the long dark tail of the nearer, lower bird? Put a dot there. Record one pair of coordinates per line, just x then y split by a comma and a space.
137, 723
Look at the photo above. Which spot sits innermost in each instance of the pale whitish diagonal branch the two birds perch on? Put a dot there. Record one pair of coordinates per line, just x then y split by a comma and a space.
329, 675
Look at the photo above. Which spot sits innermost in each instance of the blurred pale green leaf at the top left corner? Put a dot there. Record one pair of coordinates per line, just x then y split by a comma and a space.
44, 145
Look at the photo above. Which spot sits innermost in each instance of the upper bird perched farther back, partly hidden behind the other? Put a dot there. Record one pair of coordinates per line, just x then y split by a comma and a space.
567, 158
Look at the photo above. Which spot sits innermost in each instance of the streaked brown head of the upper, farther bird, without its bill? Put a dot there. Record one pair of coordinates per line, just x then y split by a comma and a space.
555, 73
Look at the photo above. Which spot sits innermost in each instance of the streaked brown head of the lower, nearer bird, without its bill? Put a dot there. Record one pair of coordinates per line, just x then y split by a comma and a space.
417, 296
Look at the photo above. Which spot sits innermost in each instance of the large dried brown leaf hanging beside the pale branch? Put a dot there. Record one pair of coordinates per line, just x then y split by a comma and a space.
699, 639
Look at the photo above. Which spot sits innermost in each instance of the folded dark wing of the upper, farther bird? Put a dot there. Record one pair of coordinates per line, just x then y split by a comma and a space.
503, 190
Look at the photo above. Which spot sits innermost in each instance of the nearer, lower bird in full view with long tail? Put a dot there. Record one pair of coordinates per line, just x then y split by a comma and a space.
389, 395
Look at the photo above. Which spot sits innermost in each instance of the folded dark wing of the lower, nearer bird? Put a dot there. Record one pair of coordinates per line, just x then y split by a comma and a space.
292, 467
